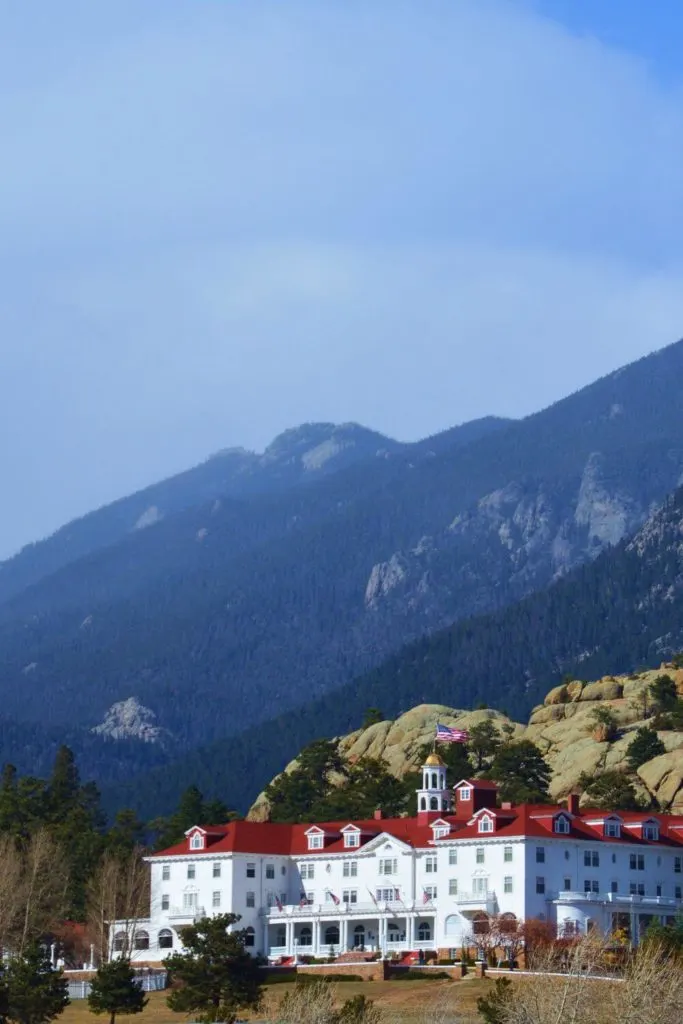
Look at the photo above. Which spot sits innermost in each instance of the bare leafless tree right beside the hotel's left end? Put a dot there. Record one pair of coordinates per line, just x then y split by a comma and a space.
119, 891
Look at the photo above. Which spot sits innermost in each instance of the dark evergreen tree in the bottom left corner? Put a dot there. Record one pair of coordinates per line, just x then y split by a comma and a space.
36, 993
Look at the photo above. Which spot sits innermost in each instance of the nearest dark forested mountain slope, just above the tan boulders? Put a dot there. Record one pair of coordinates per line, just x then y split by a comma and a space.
621, 611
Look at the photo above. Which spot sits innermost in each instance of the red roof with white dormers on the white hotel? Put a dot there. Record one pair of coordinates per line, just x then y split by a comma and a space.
532, 821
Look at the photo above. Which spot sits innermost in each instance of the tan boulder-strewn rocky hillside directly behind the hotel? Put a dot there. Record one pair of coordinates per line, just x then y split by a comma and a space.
564, 728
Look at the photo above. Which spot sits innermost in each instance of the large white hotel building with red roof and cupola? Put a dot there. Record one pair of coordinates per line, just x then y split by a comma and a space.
429, 882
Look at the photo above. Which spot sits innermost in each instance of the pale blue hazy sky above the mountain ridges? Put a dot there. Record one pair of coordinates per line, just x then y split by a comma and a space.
220, 220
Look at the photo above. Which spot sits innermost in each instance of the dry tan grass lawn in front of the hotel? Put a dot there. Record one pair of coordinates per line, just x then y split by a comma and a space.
406, 1002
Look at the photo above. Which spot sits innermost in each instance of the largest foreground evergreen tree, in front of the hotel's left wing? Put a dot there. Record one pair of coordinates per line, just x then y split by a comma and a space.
218, 976
